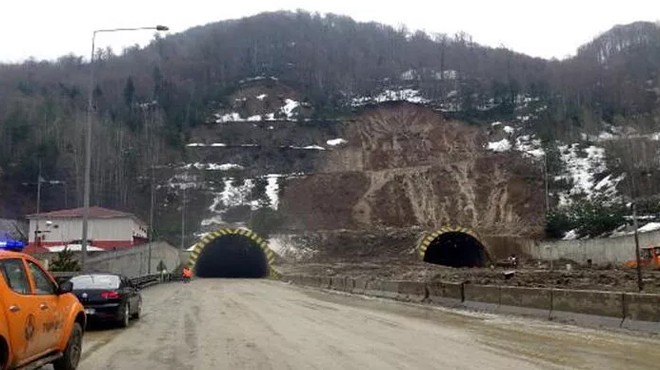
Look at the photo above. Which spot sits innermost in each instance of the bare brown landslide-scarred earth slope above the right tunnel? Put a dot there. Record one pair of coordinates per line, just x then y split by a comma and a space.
405, 165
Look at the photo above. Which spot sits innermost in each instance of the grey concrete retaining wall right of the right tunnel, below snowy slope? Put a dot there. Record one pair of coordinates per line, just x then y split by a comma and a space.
601, 251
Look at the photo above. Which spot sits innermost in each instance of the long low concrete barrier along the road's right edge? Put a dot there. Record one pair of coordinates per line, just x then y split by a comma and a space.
586, 307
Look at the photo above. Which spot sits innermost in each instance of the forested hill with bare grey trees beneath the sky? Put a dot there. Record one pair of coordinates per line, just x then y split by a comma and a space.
148, 100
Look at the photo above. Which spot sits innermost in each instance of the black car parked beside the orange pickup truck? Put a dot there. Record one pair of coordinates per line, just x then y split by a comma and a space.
108, 297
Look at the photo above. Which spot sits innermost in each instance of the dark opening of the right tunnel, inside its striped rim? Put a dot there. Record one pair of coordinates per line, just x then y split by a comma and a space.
456, 249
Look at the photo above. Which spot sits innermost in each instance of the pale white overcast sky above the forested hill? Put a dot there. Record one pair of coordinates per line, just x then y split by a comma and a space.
46, 29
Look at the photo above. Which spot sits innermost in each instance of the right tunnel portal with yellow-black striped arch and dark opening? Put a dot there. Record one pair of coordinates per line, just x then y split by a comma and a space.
453, 246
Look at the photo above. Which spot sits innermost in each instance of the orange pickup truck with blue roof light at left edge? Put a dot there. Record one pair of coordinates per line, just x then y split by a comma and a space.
41, 322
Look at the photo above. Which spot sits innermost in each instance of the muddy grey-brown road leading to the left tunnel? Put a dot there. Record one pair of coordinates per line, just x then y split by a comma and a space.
260, 324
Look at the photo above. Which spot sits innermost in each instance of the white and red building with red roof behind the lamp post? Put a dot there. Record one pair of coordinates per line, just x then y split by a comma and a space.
108, 229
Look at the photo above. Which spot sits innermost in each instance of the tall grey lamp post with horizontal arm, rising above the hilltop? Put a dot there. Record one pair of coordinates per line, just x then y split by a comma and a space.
88, 137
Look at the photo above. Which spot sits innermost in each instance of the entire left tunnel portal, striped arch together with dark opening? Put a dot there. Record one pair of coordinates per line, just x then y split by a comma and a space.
232, 253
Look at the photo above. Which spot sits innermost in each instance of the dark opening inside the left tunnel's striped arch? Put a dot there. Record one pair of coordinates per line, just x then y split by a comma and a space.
232, 256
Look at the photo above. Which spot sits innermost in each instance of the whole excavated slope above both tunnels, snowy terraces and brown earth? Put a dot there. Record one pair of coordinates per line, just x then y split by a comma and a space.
368, 184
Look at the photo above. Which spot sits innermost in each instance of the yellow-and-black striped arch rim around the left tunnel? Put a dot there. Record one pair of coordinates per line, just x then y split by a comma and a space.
245, 235
